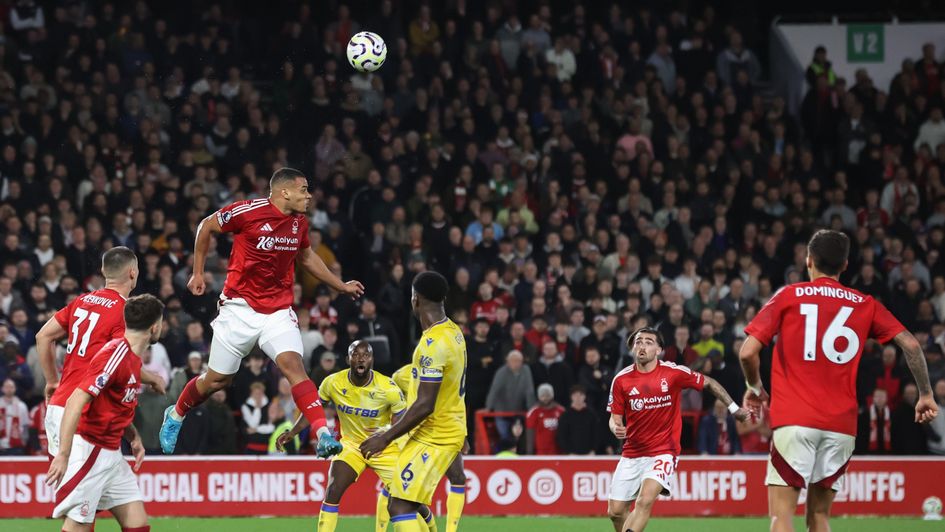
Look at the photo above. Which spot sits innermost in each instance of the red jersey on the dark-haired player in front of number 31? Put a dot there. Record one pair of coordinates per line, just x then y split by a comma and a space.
113, 378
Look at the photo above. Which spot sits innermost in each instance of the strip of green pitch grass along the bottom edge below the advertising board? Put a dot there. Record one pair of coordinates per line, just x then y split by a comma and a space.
483, 524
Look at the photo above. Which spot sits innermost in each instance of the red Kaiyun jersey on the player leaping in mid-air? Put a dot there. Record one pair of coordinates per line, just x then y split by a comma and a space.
265, 244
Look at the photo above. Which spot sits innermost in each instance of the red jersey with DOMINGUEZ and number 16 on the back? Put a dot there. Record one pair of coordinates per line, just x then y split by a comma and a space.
822, 327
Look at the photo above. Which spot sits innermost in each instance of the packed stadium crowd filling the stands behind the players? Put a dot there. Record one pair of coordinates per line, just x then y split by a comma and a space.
576, 170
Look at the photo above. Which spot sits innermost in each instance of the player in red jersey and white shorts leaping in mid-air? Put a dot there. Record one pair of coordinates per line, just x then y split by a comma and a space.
270, 236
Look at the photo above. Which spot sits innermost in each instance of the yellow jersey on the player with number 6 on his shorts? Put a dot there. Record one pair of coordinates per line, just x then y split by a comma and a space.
440, 356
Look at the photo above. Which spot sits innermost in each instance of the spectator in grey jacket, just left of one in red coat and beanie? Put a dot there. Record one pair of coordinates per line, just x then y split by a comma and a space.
512, 390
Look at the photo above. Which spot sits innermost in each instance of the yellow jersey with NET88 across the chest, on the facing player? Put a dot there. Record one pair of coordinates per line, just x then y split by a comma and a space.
362, 410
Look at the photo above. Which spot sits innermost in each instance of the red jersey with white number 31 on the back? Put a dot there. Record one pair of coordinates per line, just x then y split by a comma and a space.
91, 320
